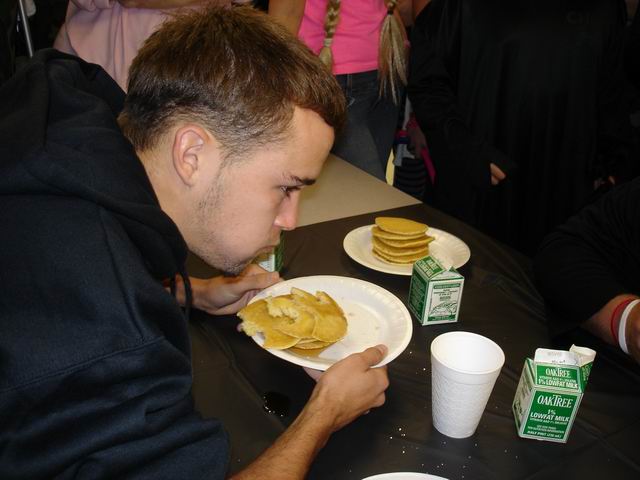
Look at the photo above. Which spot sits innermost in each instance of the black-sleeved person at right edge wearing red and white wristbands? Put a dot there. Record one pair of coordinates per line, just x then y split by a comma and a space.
587, 270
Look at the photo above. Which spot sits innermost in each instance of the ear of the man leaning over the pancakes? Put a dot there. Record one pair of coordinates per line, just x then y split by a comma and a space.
190, 143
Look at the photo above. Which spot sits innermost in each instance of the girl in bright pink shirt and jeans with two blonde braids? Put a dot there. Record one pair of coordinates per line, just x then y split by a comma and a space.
365, 44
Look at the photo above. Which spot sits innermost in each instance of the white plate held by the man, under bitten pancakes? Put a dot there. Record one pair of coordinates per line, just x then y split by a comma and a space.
374, 316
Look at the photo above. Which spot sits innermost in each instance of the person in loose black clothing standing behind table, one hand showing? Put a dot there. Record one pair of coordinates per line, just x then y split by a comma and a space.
524, 107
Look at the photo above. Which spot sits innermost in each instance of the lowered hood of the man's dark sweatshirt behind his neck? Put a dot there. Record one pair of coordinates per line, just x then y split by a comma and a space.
59, 136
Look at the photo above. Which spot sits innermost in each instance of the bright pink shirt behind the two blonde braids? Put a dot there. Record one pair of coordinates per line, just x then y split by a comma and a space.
356, 40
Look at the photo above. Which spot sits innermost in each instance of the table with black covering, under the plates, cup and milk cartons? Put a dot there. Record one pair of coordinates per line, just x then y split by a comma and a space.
231, 374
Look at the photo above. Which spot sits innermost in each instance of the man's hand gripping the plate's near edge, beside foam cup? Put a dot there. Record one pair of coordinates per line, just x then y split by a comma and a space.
351, 387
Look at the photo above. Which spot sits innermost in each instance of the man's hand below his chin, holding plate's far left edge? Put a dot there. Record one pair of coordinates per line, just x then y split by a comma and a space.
227, 295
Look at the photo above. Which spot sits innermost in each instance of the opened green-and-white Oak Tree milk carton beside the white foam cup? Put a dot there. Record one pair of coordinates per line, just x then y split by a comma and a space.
549, 393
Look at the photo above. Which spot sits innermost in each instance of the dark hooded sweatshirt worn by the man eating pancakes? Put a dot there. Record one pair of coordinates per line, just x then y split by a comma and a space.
95, 367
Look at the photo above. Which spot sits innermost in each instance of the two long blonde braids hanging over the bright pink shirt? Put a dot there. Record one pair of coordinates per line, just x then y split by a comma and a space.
392, 56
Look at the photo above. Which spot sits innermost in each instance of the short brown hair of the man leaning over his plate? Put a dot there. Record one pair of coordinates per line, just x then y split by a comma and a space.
231, 69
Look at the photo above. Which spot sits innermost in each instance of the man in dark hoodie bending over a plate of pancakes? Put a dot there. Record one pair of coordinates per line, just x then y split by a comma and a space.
227, 118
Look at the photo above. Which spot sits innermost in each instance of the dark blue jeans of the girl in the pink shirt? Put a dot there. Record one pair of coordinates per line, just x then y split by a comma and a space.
367, 137
